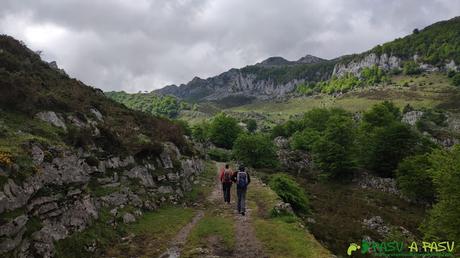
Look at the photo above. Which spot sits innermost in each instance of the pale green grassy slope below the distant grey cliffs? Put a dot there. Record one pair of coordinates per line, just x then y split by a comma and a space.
428, 90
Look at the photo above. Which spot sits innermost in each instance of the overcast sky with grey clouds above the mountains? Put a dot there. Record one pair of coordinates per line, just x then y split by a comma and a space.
137, 45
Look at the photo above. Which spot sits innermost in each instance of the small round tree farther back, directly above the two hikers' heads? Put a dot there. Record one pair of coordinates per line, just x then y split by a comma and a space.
224, 130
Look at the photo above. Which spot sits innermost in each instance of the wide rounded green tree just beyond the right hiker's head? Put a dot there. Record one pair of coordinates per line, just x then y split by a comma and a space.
256, 150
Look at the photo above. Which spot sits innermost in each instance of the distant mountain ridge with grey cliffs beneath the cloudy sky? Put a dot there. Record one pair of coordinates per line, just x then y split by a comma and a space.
434, 48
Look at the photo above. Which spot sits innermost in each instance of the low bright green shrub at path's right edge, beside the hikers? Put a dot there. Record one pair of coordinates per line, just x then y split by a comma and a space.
290, 191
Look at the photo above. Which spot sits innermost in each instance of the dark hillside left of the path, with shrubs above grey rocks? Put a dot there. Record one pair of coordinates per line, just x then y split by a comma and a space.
72, 160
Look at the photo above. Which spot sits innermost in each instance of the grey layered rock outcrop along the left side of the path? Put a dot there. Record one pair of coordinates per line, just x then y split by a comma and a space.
67, 194
